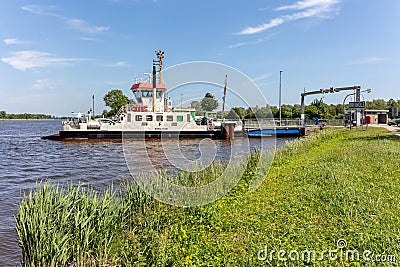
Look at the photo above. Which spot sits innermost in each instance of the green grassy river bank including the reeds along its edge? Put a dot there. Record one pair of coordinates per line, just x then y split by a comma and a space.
334, 185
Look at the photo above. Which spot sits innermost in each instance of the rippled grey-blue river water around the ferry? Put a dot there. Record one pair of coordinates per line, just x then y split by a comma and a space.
25, 159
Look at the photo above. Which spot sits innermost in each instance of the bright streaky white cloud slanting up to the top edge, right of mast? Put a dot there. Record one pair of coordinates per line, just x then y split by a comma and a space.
307, 9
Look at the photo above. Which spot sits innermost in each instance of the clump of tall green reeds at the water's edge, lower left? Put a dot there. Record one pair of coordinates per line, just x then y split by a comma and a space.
61, 226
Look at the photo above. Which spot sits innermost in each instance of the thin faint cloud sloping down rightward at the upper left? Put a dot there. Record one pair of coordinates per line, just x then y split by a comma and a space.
77, 24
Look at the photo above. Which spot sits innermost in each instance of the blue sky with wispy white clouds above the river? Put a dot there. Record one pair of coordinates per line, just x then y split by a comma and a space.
55, 54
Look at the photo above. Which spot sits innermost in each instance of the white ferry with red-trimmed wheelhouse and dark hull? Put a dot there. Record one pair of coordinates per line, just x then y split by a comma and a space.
153, 116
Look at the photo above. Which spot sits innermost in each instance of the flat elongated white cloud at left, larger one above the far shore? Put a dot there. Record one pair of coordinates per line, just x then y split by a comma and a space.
25, 60
